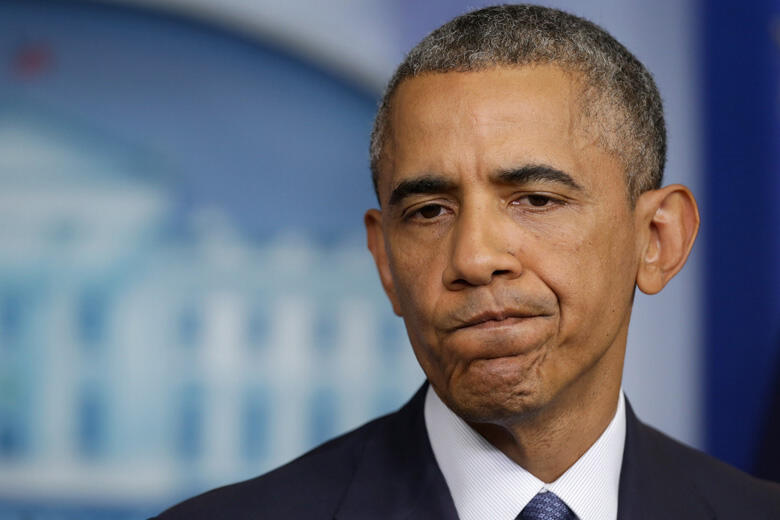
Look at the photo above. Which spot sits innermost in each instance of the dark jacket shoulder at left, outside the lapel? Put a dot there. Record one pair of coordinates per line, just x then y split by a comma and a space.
313, 483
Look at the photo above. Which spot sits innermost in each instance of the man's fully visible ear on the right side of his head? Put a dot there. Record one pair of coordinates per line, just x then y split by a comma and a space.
668, 221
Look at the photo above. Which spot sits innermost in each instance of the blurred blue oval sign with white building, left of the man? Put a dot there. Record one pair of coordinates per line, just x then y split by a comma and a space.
181, 245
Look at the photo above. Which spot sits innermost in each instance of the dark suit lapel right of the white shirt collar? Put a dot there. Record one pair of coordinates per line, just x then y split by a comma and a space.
651, 487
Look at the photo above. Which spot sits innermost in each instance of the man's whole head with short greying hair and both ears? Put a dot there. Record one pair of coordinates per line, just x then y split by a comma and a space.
517, 158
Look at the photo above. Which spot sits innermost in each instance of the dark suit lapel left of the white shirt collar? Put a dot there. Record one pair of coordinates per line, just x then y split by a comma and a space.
397, 476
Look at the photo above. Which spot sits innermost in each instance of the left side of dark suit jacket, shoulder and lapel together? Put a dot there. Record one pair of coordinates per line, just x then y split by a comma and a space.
350, 471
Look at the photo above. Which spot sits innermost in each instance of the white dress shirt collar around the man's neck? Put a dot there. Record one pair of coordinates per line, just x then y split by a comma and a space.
485, 483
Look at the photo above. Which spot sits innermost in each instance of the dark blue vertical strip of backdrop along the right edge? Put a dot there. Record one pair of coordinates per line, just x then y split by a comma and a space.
741, 90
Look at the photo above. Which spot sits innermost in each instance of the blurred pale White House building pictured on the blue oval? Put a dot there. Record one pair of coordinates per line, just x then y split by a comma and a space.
134, 363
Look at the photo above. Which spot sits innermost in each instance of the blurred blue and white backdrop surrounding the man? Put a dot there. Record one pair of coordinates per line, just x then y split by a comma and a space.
185, 295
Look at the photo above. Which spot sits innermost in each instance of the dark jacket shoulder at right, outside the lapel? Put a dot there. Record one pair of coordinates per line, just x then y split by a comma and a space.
728, 491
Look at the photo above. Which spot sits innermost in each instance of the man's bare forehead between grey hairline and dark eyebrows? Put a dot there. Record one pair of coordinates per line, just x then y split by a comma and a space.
499, 118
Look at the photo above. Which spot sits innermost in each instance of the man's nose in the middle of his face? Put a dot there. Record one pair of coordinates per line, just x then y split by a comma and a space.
481, 249
